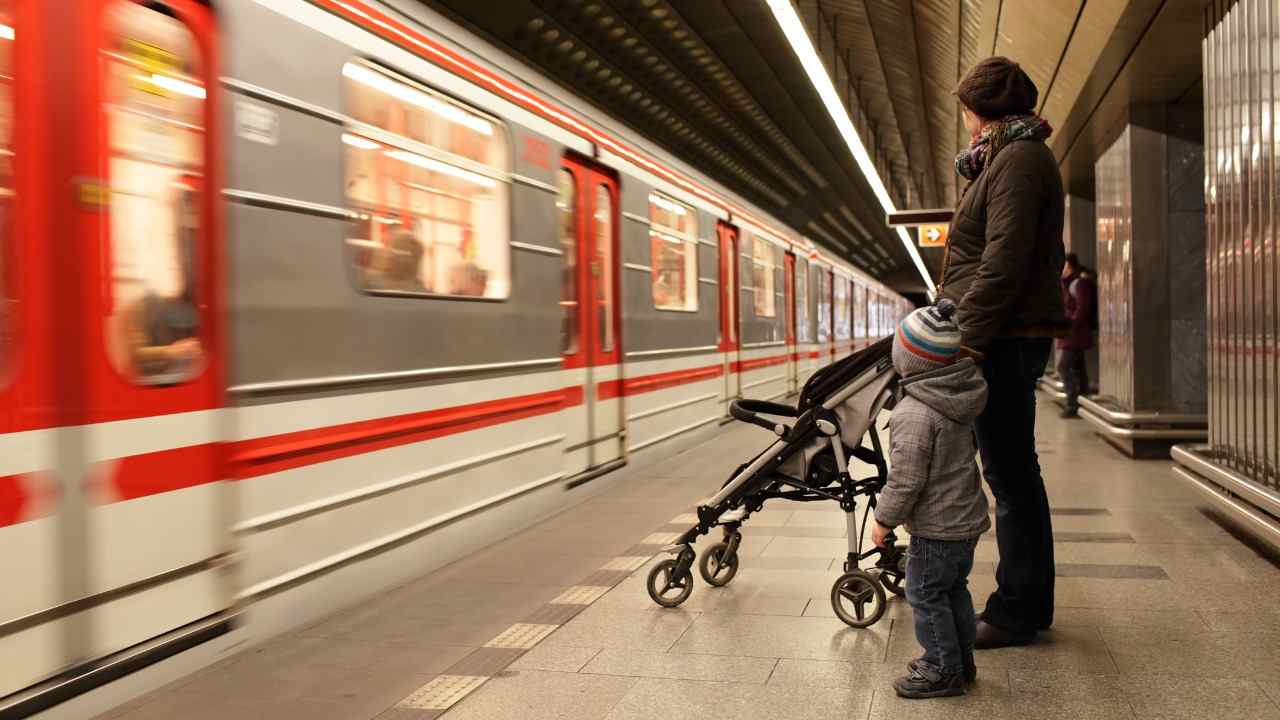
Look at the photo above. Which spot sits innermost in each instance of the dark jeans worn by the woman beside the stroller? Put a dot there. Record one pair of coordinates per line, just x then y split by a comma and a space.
1023, 601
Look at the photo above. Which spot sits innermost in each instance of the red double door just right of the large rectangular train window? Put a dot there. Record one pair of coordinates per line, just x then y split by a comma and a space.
593, 343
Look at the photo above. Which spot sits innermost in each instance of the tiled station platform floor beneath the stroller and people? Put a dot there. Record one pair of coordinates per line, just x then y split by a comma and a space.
1162, 613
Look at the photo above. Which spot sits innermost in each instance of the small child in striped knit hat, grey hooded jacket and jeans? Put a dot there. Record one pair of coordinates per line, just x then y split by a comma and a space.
936, 491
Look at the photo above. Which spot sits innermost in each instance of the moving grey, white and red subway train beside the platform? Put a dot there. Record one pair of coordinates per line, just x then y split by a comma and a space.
299, 300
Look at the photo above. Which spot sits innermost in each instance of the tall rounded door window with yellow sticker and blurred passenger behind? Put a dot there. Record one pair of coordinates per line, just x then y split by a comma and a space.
154, 102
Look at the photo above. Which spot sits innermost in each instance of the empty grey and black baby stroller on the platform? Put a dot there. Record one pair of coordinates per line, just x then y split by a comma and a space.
808, 463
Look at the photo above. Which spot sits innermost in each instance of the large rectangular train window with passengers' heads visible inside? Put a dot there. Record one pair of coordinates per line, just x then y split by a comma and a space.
365, 136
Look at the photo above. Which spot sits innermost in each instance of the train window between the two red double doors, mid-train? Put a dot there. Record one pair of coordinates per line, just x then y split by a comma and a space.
674, 244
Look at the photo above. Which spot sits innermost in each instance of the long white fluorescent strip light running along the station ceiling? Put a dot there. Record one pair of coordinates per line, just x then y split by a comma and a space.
799, 39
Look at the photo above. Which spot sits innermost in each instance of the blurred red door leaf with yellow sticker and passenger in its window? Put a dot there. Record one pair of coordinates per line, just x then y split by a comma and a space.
149, 330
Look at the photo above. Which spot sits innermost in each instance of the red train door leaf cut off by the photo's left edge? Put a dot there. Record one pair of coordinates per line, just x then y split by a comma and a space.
31, 507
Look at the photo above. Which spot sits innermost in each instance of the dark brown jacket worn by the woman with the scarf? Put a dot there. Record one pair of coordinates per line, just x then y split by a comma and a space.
1005, 249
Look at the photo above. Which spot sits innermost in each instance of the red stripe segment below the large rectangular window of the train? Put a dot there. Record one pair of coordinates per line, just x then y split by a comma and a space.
262, 457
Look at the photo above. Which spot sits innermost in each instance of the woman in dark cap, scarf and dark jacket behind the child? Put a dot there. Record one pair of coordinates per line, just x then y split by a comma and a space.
1003, 266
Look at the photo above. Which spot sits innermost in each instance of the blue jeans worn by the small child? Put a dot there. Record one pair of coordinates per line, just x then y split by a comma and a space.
938, 587
